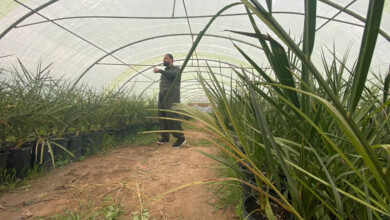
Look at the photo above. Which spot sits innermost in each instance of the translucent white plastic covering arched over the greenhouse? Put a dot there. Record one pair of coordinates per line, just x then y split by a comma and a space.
115, 44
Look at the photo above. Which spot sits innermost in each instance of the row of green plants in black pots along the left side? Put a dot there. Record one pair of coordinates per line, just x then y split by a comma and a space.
42, 119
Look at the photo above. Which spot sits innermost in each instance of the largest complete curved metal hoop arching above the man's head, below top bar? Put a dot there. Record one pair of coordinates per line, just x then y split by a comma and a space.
152, 38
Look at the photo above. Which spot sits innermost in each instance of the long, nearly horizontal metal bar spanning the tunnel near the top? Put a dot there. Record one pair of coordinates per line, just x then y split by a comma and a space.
178, 17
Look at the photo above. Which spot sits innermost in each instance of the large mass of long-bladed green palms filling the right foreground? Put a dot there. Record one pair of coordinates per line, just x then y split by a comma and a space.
332, 150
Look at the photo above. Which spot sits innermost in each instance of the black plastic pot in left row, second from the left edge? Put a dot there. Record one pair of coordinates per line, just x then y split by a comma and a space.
20, 159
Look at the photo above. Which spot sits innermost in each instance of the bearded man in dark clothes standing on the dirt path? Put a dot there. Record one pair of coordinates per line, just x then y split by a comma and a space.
166, 99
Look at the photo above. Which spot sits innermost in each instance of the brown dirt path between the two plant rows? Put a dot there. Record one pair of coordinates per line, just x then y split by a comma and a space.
126, 178
